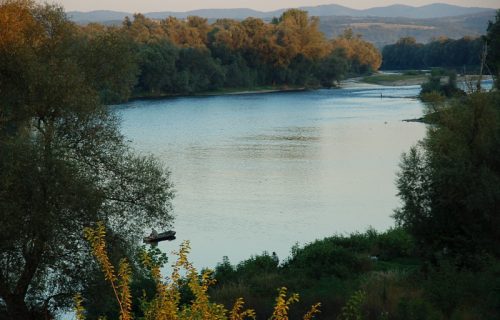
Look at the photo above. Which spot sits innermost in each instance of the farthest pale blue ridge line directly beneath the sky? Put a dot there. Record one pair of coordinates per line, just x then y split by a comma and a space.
436, 10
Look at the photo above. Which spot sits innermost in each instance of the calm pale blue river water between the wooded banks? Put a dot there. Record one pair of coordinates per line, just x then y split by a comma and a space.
265, 171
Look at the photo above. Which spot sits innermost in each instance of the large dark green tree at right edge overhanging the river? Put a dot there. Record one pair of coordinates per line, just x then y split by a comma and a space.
450, 183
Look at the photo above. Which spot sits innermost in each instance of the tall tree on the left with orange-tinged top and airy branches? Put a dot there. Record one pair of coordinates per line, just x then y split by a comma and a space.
63, 164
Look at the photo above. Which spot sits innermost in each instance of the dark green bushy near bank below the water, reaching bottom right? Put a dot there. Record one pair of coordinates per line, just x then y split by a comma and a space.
382, 270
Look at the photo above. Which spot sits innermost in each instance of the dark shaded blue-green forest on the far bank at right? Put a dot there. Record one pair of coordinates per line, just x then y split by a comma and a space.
462, 54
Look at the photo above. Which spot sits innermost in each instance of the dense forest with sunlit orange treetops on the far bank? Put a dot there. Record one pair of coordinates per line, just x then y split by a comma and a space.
173, 56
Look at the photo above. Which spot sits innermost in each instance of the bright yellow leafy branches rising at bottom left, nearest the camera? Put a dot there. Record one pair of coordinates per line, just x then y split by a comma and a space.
165, 305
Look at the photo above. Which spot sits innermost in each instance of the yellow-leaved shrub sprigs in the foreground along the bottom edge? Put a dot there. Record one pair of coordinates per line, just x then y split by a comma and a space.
181, 296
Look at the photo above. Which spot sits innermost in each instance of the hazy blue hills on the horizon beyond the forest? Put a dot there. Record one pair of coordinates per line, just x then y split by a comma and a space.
381, 25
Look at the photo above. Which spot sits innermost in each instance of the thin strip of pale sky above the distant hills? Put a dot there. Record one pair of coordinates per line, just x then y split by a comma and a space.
263, 5
